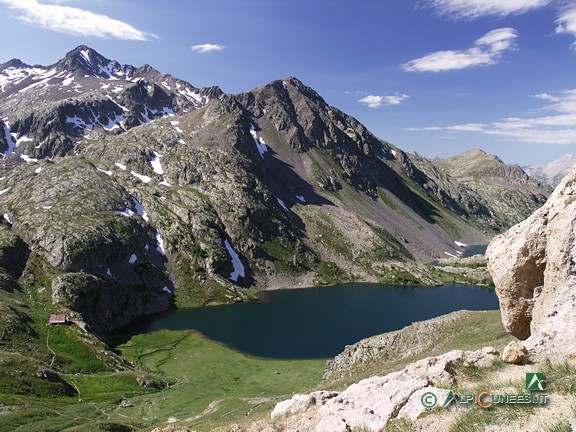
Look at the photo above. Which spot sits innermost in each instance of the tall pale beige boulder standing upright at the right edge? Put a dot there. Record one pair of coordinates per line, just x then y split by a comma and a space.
534, 269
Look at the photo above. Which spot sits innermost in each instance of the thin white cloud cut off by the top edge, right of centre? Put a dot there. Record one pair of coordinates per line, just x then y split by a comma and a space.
472, 9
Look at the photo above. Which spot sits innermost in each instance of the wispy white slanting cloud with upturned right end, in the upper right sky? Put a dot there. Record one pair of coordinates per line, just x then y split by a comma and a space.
486, 51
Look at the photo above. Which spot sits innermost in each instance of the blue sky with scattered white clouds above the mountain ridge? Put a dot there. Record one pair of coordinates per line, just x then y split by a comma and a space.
434, 76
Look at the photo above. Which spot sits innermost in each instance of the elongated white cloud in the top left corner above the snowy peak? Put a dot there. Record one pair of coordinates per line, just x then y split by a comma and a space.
74, 21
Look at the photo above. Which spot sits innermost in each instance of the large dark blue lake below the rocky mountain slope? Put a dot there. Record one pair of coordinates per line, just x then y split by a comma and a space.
317, 322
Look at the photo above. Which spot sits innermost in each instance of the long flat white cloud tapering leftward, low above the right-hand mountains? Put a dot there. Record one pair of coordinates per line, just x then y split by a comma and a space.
558, 128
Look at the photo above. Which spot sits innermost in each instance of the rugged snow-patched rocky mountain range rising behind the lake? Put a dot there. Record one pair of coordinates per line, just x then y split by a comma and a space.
125, 190
